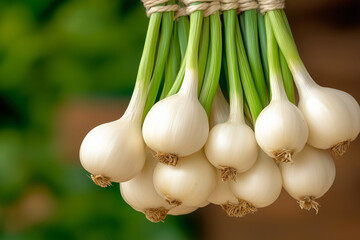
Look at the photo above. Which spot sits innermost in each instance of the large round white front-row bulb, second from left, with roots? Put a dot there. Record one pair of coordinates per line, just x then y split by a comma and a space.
177, 126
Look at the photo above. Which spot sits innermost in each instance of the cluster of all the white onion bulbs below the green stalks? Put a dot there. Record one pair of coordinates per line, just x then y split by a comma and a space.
179, 159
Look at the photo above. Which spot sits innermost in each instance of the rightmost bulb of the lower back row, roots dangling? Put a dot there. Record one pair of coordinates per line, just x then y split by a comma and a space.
309, 177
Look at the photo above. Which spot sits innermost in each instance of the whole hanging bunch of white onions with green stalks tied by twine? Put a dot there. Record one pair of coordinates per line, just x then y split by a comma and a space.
180, 145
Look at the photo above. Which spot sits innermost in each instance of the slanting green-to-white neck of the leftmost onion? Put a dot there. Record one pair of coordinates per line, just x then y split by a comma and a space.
136, 106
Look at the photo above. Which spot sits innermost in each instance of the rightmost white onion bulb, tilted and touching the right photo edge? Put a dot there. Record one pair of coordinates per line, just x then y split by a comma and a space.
333, 116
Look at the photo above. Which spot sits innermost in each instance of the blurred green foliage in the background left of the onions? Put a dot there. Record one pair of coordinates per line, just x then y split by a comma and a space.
52, 50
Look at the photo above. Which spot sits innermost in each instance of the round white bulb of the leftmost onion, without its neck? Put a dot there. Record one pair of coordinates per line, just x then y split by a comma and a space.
115, 150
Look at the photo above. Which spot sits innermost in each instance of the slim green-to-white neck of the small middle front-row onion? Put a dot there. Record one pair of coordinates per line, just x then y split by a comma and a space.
235, 90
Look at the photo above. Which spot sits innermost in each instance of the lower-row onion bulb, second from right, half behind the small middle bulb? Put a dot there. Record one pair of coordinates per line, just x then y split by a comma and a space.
258, 187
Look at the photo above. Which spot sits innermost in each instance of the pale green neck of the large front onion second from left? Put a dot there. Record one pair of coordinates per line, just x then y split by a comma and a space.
190, 83
